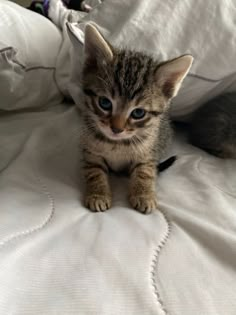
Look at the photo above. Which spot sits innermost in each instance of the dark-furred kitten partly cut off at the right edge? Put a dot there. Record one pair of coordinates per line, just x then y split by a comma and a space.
213, 126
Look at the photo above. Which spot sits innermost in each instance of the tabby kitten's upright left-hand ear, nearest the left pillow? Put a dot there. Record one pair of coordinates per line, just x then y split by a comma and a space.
96, 48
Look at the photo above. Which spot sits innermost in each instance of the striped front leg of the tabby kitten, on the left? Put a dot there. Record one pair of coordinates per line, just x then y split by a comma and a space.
98, 192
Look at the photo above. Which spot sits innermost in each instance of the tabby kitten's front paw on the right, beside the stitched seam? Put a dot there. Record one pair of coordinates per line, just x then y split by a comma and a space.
144, 204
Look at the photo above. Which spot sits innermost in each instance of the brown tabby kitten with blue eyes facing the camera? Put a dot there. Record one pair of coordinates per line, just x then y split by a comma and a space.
125, 117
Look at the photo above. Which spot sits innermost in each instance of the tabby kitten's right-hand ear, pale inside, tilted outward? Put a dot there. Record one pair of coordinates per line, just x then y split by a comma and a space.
171, 74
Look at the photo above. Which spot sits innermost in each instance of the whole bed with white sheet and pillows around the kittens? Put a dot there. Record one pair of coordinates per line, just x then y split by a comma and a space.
56, 257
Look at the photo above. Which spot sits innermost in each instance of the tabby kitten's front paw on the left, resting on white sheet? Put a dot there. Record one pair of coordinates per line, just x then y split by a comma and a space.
98, 203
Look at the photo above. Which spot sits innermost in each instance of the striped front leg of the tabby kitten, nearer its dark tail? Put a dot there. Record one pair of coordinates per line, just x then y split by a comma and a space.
142, 194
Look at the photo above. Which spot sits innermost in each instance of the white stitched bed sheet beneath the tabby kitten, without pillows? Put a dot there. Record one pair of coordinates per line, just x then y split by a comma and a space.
56, 257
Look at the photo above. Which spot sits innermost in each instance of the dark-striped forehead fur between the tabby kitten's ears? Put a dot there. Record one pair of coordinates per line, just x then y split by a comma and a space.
132, 71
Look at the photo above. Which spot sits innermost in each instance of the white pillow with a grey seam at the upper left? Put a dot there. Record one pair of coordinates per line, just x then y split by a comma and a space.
29, 45
